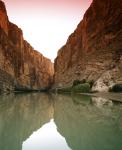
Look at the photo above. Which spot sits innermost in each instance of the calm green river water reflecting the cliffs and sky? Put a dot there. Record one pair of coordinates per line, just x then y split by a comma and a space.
59, 122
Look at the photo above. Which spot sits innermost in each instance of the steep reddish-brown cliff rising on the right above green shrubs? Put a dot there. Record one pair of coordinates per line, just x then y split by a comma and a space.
94, 50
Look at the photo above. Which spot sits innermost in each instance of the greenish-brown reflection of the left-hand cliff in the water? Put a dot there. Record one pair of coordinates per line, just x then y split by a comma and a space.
20, 115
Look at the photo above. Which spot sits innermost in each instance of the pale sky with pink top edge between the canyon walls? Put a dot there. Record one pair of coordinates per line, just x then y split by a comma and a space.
46, 24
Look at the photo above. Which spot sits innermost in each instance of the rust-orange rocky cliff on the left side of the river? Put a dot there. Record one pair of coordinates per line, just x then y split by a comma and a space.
21, 66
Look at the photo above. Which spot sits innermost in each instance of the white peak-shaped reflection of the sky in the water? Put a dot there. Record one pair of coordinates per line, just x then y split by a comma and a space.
46, 138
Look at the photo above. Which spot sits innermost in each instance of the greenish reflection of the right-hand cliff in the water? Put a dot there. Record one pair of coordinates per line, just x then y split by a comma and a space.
86, 126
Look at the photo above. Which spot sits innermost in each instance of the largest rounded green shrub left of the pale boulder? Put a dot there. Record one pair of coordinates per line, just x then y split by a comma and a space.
83, 88
